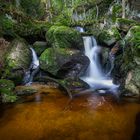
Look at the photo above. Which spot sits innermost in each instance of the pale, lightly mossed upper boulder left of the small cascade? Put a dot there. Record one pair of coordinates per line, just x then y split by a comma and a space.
19, 55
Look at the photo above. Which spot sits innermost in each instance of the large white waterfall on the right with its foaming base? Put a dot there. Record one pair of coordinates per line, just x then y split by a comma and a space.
94, 76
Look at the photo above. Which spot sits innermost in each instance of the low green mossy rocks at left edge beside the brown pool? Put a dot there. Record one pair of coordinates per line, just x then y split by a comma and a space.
6, 90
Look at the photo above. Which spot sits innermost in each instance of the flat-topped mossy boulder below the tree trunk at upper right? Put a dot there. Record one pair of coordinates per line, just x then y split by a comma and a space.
125, 24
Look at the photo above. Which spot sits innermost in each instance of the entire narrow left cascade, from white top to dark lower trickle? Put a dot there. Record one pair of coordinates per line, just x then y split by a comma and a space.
34, 67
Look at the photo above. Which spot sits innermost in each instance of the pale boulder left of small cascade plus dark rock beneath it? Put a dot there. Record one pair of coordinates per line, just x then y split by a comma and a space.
18, 60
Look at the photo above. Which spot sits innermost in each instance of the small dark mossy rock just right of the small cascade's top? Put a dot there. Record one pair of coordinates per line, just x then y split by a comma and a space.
39, 47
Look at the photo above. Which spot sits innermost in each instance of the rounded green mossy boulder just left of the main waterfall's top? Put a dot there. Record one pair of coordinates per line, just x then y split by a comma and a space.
64, 37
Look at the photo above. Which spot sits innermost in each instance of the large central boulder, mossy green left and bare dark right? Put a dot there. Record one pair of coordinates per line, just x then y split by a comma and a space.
63, 62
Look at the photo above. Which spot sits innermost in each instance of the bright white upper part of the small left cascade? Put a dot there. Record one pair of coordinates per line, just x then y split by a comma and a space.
35, 61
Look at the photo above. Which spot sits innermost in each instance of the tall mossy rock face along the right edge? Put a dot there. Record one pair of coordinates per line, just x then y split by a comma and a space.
127, 65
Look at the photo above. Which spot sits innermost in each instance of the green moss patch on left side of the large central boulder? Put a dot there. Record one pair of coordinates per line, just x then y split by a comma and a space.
53, 58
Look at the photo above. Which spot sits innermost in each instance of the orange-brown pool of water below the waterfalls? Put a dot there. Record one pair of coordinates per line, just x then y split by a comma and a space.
49, 115
